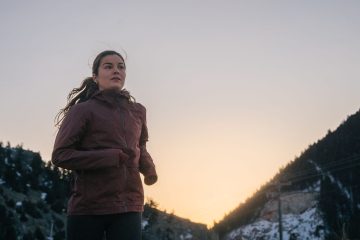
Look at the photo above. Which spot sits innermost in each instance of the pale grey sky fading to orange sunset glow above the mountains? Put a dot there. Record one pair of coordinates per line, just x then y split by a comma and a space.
234, 90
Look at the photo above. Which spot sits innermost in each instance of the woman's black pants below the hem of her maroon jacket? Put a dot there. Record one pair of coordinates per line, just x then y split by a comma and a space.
122, 226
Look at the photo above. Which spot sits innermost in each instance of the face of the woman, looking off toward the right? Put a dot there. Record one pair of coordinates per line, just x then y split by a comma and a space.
111, 72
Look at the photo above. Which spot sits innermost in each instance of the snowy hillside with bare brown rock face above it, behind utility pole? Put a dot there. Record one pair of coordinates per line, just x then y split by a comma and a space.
301, 218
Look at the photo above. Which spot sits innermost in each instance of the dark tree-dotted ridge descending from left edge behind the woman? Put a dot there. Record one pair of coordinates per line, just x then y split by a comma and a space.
33, 197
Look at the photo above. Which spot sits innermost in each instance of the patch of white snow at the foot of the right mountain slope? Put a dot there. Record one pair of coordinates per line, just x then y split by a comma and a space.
306, 226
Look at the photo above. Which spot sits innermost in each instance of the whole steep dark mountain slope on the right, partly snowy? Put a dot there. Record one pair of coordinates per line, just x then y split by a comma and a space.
330, 169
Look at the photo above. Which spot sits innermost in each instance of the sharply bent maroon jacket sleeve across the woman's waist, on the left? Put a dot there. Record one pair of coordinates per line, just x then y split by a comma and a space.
66, 153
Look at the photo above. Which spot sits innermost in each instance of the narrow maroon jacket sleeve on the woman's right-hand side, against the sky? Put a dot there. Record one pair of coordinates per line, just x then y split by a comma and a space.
147, 166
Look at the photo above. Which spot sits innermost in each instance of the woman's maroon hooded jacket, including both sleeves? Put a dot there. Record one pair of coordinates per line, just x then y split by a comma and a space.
103, 140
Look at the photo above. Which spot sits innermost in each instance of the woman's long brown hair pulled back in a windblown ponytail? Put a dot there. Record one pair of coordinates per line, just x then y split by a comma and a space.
87, 88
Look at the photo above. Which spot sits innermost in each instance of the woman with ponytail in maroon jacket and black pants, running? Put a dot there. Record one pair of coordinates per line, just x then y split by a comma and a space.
102, 139
